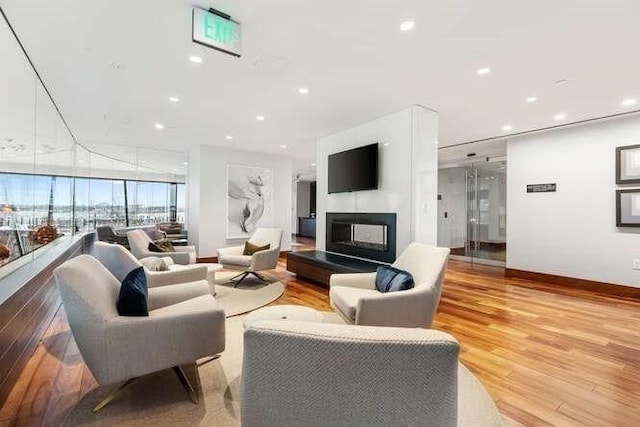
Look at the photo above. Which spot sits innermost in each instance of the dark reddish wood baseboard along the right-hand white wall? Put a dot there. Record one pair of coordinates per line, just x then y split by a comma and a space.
572, 282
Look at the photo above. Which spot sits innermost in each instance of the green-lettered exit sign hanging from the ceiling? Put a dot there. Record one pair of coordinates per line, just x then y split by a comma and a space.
216, 31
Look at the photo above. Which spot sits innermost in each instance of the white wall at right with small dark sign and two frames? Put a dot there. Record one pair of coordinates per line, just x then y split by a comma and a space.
571, 232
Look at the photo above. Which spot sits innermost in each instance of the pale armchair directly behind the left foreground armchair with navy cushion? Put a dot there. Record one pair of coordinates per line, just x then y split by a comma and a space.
120, 262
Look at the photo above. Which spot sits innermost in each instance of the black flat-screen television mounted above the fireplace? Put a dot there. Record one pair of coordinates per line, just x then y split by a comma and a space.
354, 170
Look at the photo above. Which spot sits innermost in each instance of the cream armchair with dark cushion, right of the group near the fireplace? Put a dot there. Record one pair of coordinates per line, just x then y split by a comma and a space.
355, 297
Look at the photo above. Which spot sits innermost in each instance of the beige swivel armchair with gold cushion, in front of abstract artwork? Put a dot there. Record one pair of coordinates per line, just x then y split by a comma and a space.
232, 257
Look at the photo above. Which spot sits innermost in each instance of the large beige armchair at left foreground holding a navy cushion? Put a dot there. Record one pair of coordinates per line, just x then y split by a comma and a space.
184, 324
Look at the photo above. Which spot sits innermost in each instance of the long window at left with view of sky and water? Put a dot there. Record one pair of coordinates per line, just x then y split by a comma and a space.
28, 203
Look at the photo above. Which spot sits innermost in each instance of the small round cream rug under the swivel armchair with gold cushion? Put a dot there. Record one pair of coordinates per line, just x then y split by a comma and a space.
248, 296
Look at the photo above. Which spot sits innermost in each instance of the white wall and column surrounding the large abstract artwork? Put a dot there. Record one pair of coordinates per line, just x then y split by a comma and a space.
208, 195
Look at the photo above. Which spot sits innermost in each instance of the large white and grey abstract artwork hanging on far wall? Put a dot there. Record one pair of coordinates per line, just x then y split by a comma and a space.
249, 199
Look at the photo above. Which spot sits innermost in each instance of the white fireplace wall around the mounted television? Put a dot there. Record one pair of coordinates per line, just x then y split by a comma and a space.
407, 175
